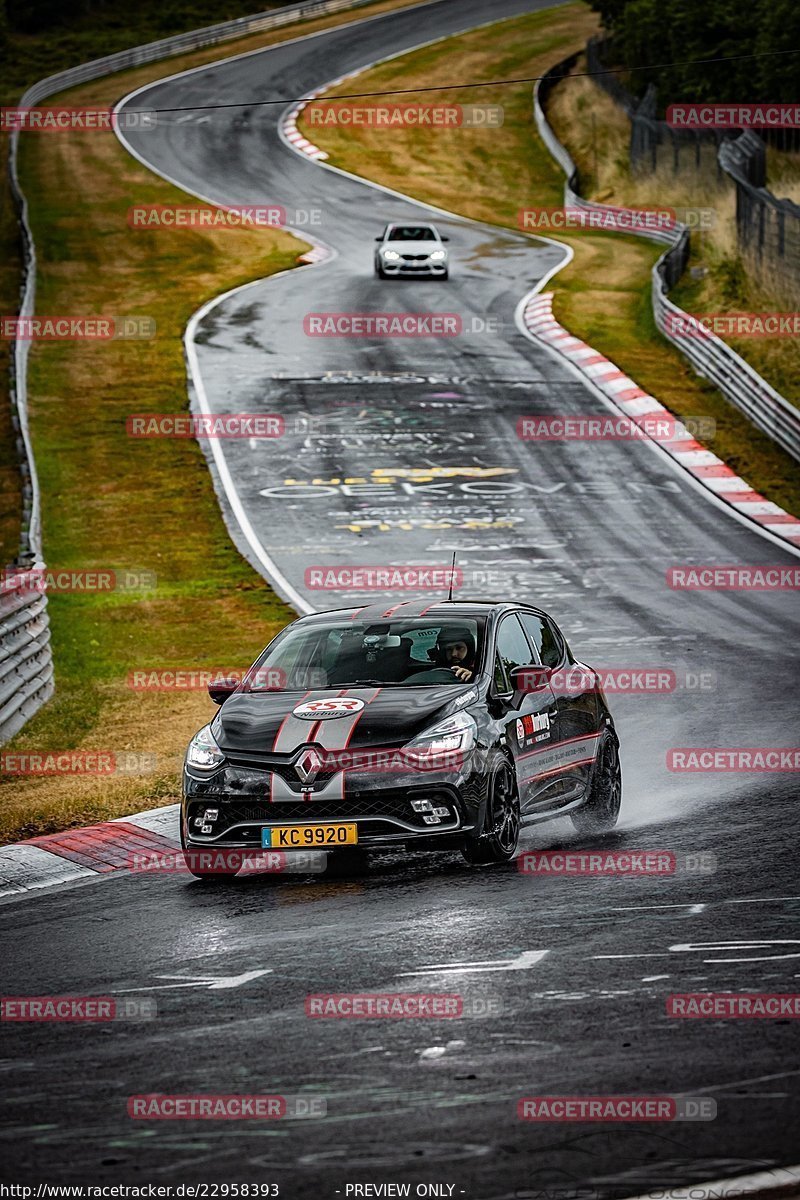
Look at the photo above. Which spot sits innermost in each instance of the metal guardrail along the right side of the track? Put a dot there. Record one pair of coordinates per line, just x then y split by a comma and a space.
709, 355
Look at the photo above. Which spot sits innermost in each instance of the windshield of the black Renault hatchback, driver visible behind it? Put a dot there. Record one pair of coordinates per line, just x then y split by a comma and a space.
412, 653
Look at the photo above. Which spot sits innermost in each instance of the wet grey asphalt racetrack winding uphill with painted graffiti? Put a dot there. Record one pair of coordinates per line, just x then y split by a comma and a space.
587, 532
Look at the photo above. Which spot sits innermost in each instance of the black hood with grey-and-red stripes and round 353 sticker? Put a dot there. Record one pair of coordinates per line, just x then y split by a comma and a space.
390, 717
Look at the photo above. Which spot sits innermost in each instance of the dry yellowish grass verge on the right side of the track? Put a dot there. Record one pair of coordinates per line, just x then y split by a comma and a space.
604, 296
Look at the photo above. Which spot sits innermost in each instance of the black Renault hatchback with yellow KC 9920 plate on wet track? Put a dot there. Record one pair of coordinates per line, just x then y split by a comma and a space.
429, 727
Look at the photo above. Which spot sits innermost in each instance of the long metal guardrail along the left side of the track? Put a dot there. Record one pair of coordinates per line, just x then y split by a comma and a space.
26, 657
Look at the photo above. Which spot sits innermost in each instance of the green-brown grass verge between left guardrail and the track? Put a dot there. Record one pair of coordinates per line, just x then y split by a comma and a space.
110, 502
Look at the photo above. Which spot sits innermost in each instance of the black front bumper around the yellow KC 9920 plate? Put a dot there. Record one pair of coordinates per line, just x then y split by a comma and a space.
396, 813
